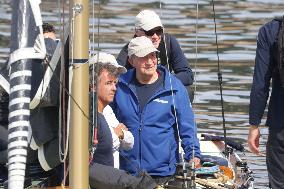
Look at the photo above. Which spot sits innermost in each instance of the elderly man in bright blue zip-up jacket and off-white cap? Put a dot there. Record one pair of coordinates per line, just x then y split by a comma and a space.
155, 107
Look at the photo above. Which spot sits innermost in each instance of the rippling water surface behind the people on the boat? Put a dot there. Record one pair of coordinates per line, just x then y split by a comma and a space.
237, 24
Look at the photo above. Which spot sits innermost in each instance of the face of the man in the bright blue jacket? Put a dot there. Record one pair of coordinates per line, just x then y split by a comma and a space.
145, 66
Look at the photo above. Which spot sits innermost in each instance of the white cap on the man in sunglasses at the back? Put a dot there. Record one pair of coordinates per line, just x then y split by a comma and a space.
147, 20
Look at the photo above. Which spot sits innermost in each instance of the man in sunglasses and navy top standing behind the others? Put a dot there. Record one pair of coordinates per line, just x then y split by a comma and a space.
148, 24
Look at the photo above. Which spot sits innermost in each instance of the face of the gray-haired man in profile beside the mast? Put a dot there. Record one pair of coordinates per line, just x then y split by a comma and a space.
106, 88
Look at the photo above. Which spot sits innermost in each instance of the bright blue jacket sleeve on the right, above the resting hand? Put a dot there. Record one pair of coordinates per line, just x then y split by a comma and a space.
186, 124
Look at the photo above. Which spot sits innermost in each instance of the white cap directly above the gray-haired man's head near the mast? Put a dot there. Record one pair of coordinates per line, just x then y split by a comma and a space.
105, 58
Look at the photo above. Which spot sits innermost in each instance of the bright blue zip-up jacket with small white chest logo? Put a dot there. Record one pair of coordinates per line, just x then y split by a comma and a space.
154, 128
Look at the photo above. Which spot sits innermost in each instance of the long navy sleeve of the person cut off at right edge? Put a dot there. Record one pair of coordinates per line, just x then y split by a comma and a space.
262, 73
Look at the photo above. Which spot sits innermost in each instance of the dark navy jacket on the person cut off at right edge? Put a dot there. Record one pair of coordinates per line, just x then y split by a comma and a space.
264, 71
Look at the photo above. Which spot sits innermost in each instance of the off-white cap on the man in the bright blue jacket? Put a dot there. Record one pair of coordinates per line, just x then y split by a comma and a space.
140, 46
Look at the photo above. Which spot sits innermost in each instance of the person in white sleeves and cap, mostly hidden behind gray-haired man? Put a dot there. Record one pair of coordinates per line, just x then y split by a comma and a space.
122, 139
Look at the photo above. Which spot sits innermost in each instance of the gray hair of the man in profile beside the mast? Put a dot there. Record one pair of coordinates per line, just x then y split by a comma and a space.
97, 68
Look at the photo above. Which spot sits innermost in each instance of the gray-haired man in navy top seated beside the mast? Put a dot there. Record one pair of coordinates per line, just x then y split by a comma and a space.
102, 174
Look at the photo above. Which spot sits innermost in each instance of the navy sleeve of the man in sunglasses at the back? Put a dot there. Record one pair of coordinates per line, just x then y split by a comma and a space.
179, 63
